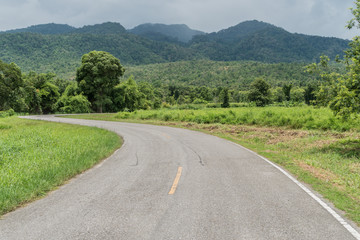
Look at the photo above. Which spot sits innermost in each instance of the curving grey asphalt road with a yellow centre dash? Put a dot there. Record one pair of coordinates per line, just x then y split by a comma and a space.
219, 191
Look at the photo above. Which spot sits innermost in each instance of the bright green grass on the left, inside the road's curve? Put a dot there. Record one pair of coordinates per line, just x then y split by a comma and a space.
38, 156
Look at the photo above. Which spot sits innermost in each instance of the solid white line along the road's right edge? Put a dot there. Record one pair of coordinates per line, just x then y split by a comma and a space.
355, 233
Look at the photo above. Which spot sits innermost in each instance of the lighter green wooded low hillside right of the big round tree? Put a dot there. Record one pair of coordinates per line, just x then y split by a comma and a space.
236, 75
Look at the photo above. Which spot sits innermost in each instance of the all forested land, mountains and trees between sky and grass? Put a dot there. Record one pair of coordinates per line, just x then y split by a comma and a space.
251, 64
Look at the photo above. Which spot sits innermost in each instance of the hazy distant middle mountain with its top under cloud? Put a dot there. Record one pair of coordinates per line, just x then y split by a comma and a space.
163, 32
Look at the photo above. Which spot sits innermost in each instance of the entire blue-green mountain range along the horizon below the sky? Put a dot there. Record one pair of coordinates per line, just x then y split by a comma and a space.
58, 48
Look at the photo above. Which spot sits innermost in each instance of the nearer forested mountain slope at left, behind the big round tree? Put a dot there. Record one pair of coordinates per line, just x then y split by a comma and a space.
62, 53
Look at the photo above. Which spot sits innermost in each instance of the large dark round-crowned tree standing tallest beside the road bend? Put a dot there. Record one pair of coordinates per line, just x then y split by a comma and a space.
98, 74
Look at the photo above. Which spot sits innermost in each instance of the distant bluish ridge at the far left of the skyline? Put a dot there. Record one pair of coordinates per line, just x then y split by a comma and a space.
50, 28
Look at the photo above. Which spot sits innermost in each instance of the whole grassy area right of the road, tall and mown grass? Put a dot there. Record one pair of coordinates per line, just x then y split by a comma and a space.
312, 144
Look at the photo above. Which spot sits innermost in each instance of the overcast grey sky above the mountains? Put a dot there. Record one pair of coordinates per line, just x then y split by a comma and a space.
314, 17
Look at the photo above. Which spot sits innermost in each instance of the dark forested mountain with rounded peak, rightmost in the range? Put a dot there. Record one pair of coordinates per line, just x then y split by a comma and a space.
259, 41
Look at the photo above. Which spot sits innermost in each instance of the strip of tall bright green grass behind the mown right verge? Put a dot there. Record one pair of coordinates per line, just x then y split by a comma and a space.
294, 117
